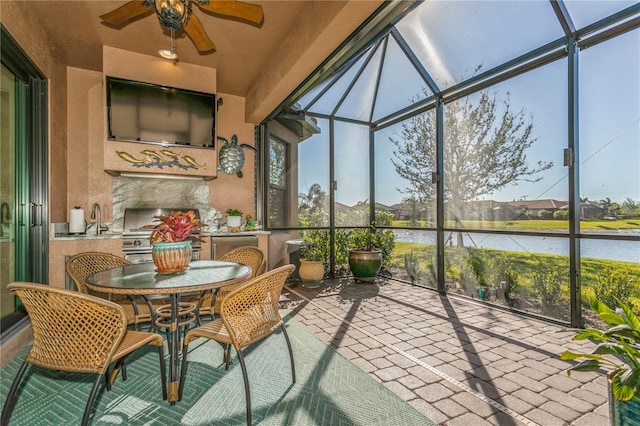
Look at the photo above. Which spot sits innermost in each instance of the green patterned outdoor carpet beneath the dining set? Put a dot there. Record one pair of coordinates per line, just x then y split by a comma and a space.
329, 390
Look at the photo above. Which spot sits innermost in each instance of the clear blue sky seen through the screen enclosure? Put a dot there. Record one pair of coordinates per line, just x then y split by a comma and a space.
488, 34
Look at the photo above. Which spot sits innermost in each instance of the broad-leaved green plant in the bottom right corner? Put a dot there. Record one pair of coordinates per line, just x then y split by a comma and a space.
617, 351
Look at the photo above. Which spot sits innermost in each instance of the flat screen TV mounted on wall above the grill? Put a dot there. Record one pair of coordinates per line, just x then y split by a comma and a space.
149, 113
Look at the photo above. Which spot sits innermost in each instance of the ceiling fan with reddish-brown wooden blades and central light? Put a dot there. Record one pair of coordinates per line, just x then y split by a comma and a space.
178, 15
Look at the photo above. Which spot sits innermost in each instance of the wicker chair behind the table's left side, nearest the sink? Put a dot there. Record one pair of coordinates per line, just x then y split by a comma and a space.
80, 266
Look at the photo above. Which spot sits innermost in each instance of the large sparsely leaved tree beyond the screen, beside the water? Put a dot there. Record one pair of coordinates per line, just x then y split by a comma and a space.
484, 151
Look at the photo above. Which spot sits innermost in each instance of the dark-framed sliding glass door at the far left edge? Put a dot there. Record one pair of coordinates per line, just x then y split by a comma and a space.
23, 176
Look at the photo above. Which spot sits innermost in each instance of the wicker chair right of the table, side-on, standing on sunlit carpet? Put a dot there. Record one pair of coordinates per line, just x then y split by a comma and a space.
247, 315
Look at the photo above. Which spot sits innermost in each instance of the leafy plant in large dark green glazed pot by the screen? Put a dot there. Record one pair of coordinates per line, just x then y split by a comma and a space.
369, 249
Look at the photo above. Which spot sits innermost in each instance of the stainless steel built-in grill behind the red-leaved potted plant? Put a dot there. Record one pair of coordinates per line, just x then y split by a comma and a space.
136, 246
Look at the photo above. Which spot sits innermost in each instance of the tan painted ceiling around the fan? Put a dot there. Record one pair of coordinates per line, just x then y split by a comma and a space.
242, 52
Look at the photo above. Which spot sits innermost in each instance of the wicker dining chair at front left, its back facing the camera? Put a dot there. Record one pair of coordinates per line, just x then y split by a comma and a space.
79, 333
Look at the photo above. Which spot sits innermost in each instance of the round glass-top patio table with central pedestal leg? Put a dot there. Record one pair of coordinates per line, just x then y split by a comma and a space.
142, 279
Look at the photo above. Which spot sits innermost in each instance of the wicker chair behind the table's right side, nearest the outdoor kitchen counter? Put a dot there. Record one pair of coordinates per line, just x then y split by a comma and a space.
251, 256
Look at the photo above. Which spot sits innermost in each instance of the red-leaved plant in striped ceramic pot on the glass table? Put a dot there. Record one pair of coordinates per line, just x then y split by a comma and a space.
170, 248
